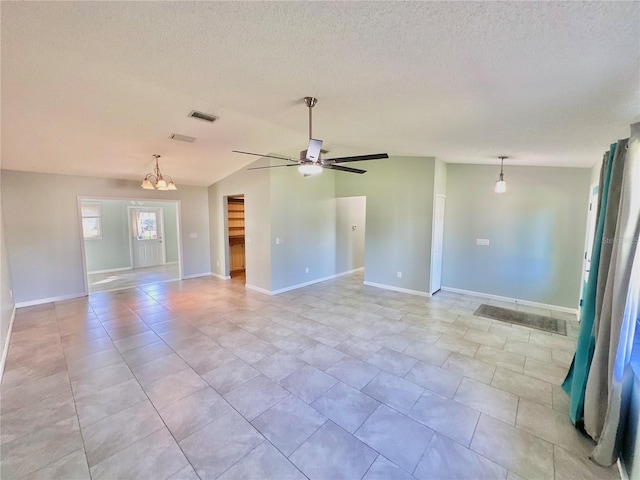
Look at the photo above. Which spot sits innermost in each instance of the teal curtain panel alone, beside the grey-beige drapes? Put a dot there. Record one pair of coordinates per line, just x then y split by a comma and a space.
575, 383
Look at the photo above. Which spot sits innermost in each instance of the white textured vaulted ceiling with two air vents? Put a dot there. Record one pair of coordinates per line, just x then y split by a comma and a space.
96, 88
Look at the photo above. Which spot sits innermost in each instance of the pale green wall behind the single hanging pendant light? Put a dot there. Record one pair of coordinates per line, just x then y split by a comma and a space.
536, 232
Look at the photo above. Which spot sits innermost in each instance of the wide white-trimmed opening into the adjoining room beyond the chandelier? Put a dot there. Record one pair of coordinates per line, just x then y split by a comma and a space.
128, 243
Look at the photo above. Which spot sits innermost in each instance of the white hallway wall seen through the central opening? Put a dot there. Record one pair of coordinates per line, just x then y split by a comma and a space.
350, 243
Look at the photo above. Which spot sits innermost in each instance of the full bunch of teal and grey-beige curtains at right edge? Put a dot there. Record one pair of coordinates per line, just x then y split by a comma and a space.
600, 377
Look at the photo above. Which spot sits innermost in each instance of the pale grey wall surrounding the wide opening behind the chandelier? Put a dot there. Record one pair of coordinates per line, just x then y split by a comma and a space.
43, 229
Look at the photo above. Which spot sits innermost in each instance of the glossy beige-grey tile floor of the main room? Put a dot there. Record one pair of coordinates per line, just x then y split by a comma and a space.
205, 379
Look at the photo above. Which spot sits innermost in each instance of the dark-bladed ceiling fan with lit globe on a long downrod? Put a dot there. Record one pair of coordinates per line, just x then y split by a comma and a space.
310, 161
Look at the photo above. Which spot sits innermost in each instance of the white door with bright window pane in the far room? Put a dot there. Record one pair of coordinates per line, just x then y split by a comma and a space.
147, 244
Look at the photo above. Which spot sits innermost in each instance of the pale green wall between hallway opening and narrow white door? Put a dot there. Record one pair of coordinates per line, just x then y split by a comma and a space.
399, 194
